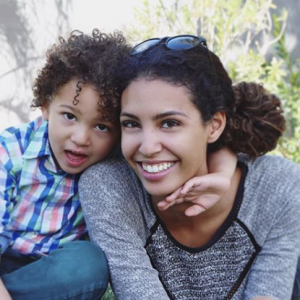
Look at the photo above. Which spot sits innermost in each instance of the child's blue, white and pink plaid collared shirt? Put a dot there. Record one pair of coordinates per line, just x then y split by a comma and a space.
39, 205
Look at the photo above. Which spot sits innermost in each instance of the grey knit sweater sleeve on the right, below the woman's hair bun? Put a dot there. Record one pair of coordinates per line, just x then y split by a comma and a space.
273, 216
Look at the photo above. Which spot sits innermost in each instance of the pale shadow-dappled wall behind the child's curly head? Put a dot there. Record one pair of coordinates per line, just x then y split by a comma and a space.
36, 25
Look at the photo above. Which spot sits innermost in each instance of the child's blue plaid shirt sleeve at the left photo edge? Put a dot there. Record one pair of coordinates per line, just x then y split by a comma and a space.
7, 186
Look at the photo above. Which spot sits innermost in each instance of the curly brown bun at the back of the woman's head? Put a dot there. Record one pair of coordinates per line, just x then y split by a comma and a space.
257, 122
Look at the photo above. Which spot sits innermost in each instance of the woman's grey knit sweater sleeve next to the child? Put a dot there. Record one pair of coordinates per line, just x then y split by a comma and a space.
111, 199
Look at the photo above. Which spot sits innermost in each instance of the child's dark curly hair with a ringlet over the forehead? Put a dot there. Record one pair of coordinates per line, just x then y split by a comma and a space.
89, 59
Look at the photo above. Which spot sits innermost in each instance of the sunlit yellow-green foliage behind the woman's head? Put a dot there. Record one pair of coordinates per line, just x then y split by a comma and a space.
248, 37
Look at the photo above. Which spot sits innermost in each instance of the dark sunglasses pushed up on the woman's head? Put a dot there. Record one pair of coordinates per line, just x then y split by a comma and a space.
179, 42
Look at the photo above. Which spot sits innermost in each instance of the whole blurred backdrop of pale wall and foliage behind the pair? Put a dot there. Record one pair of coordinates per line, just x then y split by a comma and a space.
257, 40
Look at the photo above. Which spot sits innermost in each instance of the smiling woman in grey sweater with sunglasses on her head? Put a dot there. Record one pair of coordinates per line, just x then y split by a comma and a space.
178, 105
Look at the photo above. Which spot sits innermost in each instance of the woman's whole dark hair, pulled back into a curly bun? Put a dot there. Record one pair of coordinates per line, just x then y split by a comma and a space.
254, 117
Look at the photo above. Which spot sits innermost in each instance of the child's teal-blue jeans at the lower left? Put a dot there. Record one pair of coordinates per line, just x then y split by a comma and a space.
78, 270
